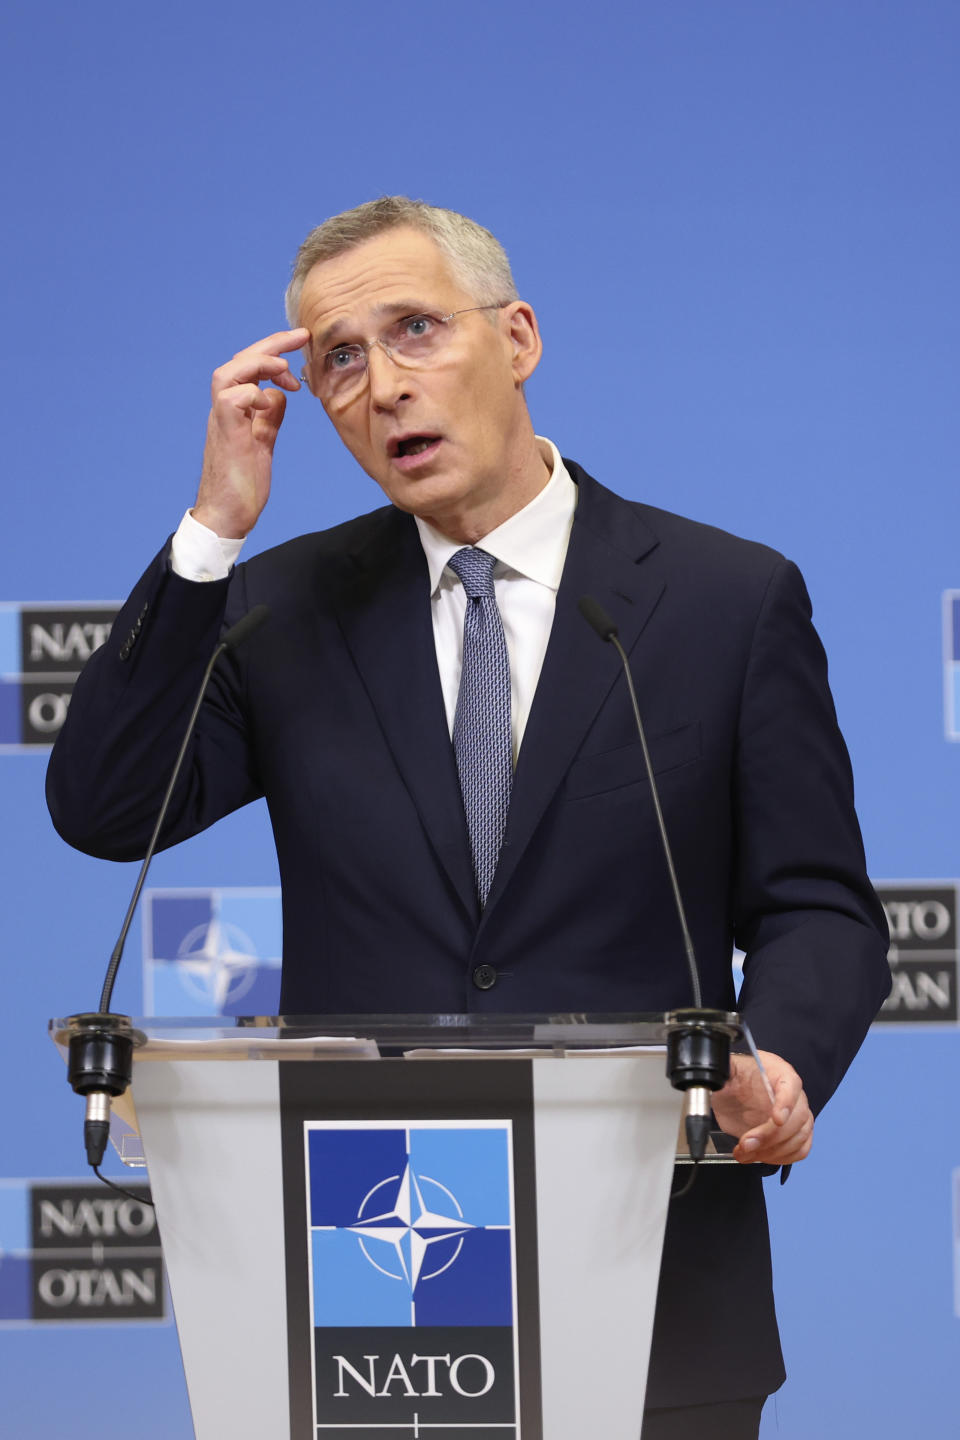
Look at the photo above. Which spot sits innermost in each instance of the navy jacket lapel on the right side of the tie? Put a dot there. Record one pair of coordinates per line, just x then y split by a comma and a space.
608, 544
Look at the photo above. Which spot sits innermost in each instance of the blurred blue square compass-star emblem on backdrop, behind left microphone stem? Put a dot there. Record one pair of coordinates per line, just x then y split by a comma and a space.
212, 951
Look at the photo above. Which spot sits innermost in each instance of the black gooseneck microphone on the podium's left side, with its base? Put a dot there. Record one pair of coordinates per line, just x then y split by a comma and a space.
101, 1046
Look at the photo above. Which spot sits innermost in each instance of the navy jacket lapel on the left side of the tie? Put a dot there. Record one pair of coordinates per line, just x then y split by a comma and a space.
385, 616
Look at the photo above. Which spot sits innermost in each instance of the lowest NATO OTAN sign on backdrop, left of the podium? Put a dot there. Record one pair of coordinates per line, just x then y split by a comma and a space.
73, 1252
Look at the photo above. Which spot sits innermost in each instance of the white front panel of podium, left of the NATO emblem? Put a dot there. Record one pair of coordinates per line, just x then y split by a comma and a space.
212, 1141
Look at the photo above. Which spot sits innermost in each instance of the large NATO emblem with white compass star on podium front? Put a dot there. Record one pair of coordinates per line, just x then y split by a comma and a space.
412, 1277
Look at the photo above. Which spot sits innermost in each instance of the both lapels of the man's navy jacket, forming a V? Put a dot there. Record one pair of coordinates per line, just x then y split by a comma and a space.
385, 614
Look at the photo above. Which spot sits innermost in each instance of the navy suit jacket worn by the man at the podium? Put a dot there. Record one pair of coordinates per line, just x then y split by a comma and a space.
335, 714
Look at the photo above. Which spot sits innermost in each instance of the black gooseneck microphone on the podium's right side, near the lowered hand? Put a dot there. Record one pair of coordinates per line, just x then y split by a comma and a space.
699, 1040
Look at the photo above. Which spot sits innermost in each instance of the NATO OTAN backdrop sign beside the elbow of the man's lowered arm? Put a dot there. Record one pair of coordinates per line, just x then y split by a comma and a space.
923, 951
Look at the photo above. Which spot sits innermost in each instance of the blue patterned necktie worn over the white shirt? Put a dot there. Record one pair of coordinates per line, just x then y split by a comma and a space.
481, 728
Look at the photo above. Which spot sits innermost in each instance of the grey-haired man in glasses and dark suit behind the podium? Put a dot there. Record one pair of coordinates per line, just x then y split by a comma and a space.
343, 709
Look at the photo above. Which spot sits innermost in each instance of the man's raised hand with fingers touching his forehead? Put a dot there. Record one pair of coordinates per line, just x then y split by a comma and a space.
243, 431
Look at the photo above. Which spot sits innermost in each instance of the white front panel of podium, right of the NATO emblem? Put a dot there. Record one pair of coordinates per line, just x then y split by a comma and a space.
607, 1137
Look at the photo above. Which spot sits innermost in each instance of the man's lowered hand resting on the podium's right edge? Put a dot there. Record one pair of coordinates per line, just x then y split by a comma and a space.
778, 1134
